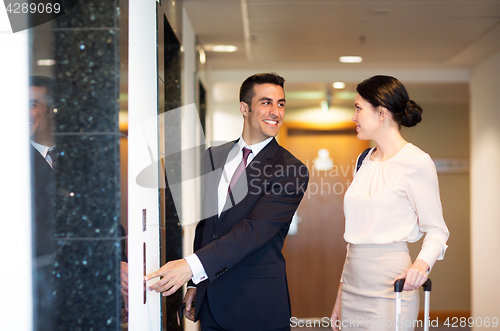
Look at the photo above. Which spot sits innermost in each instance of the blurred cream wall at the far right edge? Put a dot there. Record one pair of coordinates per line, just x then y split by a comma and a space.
485, 188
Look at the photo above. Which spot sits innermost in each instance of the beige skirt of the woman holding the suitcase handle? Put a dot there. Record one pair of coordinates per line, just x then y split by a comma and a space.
368, 298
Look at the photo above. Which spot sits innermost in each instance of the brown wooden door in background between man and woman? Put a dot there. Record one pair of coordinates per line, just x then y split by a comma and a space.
315, 253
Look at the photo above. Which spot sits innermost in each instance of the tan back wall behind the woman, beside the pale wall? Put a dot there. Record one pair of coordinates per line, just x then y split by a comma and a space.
444, 133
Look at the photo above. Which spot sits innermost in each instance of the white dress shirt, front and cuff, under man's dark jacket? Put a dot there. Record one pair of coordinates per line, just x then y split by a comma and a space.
233, 160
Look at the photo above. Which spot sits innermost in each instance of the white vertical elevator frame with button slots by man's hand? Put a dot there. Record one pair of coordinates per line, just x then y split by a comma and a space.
143, 151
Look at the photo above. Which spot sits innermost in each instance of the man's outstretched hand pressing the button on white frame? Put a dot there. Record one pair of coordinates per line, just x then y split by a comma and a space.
174, 274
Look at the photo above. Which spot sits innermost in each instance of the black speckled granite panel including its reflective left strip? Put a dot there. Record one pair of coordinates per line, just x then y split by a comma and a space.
76, 145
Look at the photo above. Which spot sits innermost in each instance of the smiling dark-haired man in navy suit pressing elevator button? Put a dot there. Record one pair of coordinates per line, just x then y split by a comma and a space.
238, 265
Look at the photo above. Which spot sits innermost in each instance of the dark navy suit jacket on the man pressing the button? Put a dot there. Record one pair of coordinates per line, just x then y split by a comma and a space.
241, 250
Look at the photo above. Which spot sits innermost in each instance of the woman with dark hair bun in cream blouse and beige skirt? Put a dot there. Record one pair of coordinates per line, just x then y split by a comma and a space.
393, 200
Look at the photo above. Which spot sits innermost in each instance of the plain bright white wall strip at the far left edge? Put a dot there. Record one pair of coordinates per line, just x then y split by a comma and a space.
15, 225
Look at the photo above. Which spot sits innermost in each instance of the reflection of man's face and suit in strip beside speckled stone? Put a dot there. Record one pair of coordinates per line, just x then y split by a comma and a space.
42, 140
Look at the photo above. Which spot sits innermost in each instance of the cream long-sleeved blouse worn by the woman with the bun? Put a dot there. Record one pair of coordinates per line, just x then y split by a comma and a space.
397, 200
